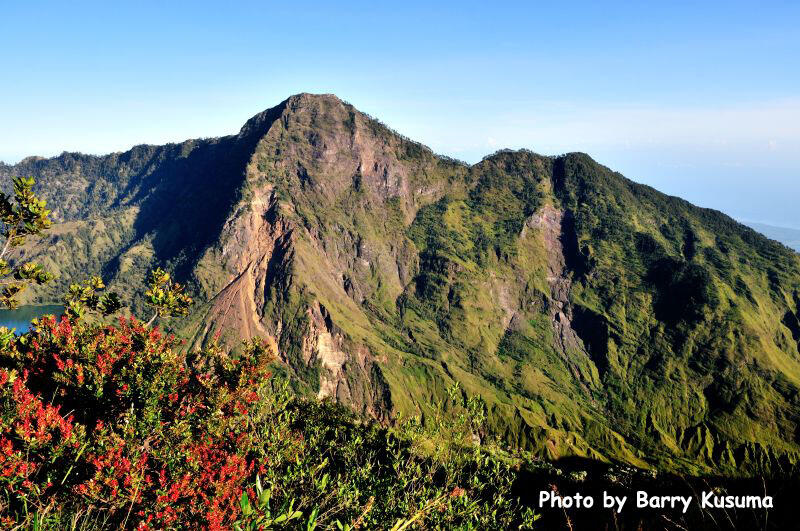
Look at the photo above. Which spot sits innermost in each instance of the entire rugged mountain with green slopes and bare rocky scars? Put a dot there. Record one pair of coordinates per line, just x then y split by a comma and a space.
598, 317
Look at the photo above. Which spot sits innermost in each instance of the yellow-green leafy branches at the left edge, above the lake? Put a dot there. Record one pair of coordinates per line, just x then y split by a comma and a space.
21, 215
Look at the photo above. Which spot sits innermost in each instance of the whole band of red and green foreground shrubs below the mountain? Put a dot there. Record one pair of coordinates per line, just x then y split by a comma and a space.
108, 426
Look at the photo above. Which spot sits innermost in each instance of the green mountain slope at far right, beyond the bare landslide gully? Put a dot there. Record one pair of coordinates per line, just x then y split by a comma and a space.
699, 358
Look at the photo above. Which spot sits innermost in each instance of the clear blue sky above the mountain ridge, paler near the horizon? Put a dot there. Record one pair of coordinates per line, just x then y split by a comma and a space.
698, 99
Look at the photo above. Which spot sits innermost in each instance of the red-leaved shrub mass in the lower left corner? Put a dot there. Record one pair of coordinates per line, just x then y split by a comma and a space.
151, 437
